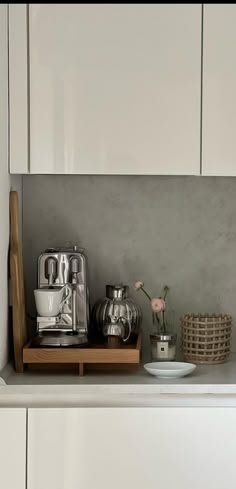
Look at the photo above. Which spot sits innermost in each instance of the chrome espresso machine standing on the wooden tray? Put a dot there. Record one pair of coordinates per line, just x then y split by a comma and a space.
57, 268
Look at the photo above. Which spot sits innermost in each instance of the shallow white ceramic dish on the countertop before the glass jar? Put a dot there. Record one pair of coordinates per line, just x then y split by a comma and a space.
169, 370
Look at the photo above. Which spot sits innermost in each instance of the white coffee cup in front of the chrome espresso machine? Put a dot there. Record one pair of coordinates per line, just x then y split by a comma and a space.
50, 301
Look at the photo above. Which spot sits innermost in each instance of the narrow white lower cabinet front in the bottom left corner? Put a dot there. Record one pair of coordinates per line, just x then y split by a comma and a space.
12, 448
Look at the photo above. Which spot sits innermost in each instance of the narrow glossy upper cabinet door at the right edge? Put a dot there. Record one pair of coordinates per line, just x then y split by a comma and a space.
219, 90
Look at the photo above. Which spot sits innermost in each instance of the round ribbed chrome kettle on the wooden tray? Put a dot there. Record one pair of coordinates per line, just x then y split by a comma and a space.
116, 315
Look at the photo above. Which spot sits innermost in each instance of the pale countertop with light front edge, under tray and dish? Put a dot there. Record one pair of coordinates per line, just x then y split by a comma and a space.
213, 385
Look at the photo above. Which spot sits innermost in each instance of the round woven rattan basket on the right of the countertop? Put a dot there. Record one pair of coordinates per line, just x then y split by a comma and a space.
206, 338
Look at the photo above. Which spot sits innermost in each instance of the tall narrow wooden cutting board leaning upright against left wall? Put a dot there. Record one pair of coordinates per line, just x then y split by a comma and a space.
17, 283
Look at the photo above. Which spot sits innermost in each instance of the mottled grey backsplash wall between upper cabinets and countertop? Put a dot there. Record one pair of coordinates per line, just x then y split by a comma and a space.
179, 231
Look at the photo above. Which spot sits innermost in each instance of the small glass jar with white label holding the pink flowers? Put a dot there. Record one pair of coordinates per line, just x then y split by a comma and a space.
163, 340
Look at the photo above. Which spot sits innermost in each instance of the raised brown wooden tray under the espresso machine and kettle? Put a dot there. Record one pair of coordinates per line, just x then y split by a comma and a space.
96, 354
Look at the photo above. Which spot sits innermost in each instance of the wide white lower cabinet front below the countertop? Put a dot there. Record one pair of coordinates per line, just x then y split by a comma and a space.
132, 448
